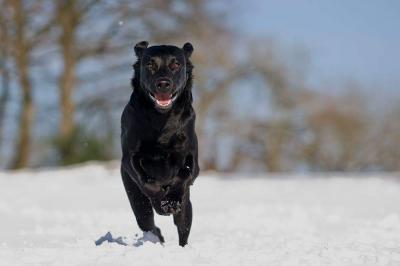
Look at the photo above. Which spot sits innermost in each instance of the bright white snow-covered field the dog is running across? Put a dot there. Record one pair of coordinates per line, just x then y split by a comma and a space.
54, 217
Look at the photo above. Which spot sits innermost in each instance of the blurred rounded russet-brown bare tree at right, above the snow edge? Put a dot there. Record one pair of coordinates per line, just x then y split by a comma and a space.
336, 134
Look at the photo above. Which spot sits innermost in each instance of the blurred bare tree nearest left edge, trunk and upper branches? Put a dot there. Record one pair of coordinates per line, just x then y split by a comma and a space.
24, 35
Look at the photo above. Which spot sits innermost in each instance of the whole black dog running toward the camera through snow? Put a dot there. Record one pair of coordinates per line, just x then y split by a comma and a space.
159, 143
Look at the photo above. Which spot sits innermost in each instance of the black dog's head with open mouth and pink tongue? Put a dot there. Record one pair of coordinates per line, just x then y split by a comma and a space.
162, 72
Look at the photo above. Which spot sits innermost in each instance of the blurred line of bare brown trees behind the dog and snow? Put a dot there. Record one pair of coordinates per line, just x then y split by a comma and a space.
65, 69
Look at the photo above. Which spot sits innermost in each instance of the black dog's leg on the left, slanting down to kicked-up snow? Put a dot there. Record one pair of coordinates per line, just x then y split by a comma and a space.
141, 206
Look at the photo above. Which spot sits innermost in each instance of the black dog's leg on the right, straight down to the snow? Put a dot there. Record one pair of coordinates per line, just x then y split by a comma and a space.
183, 219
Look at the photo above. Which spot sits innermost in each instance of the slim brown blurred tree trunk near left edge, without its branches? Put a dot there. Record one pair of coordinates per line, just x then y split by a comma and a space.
22, 62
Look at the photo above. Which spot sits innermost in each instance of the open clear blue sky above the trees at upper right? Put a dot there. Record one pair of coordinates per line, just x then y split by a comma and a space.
346, 40
